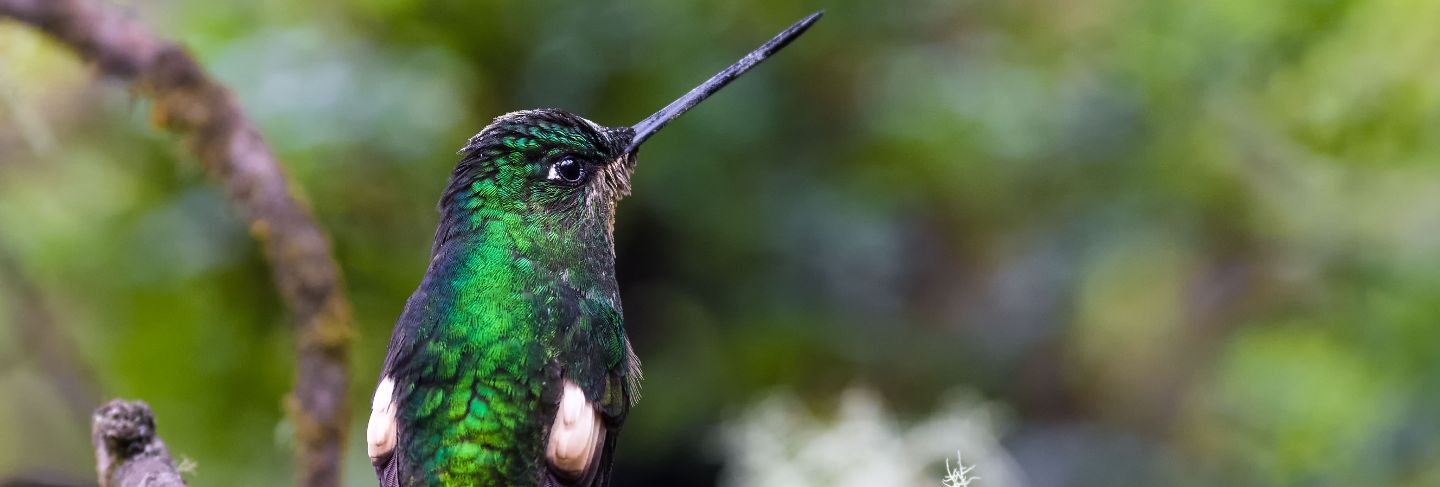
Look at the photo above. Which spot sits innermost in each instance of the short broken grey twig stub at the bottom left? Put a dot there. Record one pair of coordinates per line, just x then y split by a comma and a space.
127, 450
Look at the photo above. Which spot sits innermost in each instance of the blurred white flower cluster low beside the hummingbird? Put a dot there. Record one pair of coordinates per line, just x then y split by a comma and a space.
780, 442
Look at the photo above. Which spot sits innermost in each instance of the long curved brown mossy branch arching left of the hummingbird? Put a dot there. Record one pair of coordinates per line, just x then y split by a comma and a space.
218, 132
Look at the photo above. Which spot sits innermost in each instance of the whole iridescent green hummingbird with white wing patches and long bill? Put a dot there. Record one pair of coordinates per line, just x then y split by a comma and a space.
510, 364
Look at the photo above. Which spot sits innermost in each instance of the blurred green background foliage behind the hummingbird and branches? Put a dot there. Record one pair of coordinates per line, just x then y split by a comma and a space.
1078, 243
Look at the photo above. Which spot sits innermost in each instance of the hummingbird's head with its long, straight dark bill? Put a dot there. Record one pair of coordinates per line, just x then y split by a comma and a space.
561, 174
